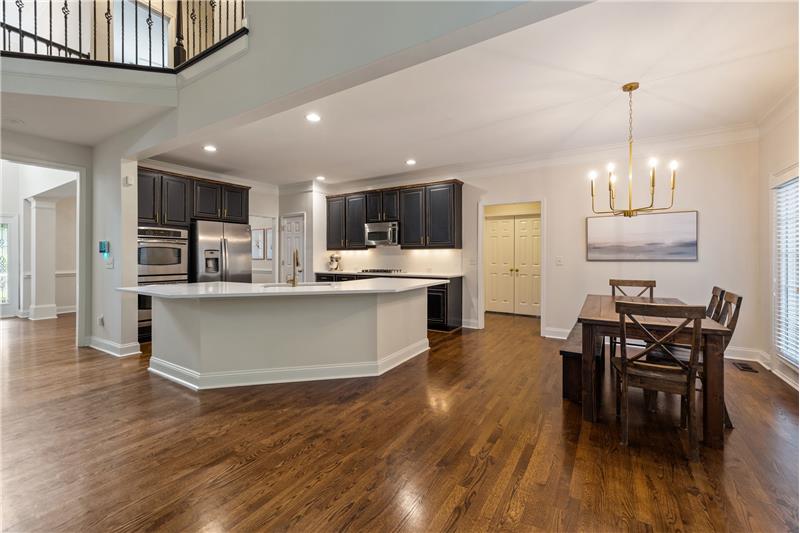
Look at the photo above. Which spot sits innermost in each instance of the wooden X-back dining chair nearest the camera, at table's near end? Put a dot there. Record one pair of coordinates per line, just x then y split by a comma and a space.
670, 375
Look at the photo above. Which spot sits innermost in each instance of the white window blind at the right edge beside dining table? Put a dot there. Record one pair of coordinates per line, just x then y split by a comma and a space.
787, 310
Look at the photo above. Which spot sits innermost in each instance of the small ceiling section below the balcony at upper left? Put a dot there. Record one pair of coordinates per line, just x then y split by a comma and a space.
74, 120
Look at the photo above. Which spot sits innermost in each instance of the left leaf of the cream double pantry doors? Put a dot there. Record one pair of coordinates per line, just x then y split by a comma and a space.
499, 244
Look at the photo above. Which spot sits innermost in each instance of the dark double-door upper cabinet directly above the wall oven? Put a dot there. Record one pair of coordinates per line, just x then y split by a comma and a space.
163, 200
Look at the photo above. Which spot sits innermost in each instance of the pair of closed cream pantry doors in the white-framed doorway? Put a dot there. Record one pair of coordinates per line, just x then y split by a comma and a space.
513, 264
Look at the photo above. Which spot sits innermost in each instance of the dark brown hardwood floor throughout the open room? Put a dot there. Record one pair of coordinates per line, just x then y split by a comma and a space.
473, 436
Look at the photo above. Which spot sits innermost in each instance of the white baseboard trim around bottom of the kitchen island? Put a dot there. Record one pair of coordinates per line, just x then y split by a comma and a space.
241, 378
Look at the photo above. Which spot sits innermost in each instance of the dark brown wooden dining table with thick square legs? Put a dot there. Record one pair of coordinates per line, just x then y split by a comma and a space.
598, 318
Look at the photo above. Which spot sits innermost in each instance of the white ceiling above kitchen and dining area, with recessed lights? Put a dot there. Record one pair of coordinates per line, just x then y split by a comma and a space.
546, 88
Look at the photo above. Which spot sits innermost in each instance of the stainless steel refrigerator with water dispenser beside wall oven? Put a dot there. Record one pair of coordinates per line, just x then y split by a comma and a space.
221, 251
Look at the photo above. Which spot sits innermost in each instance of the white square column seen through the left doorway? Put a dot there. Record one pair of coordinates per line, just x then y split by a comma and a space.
43, 259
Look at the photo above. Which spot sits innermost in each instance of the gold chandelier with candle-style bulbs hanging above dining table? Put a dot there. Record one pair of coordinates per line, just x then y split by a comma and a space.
612, 177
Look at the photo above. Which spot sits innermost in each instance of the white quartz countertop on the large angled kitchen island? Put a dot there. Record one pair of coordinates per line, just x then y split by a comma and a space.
226, 289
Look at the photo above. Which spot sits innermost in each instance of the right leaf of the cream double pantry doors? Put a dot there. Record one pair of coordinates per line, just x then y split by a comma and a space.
527, 267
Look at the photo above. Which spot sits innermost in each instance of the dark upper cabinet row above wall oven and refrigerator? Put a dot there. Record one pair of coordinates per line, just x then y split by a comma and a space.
171, 200
